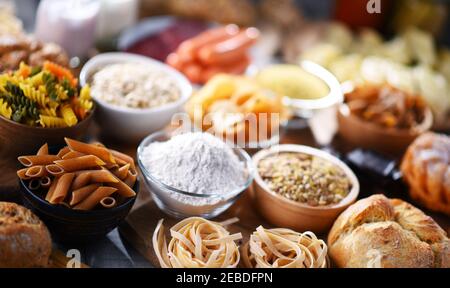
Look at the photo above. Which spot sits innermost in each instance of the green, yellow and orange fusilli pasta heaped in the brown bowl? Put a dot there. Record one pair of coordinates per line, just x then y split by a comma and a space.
46, 96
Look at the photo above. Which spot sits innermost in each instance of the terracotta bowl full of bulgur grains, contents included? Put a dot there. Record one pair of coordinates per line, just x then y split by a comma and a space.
302, 188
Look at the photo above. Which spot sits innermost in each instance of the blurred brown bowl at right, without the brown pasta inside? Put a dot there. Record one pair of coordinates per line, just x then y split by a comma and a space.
389, 141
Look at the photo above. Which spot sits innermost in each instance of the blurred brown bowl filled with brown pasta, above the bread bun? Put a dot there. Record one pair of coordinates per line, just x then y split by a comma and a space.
382, 118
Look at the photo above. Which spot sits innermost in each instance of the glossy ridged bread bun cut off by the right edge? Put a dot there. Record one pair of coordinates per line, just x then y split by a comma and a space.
426, 170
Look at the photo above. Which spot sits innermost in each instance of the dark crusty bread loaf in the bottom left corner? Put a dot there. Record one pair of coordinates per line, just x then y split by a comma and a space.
24, 239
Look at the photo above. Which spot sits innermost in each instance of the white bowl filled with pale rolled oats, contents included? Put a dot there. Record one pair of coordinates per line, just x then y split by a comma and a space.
136, 95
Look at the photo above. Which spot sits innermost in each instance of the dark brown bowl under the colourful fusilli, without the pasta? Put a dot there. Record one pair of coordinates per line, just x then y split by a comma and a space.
18, 139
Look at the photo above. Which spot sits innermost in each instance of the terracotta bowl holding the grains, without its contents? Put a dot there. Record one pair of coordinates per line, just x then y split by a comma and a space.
286, 213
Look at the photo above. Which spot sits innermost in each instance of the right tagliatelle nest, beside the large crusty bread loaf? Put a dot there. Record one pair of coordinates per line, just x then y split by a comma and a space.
284, 248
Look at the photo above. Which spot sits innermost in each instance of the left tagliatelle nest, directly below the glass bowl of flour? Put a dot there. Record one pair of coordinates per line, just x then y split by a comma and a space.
197, 243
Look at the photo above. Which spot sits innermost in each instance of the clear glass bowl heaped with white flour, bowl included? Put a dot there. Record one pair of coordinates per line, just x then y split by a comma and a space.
193, 174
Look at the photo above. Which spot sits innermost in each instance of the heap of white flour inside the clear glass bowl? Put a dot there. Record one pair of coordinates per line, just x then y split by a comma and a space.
197, 163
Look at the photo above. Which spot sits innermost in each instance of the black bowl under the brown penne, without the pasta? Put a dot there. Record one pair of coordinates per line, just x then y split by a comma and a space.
70, 225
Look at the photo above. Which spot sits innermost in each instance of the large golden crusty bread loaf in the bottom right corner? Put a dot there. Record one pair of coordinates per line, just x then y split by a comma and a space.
381, 232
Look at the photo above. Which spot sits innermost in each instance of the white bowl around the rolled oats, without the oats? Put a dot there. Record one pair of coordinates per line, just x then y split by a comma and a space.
133, 124
